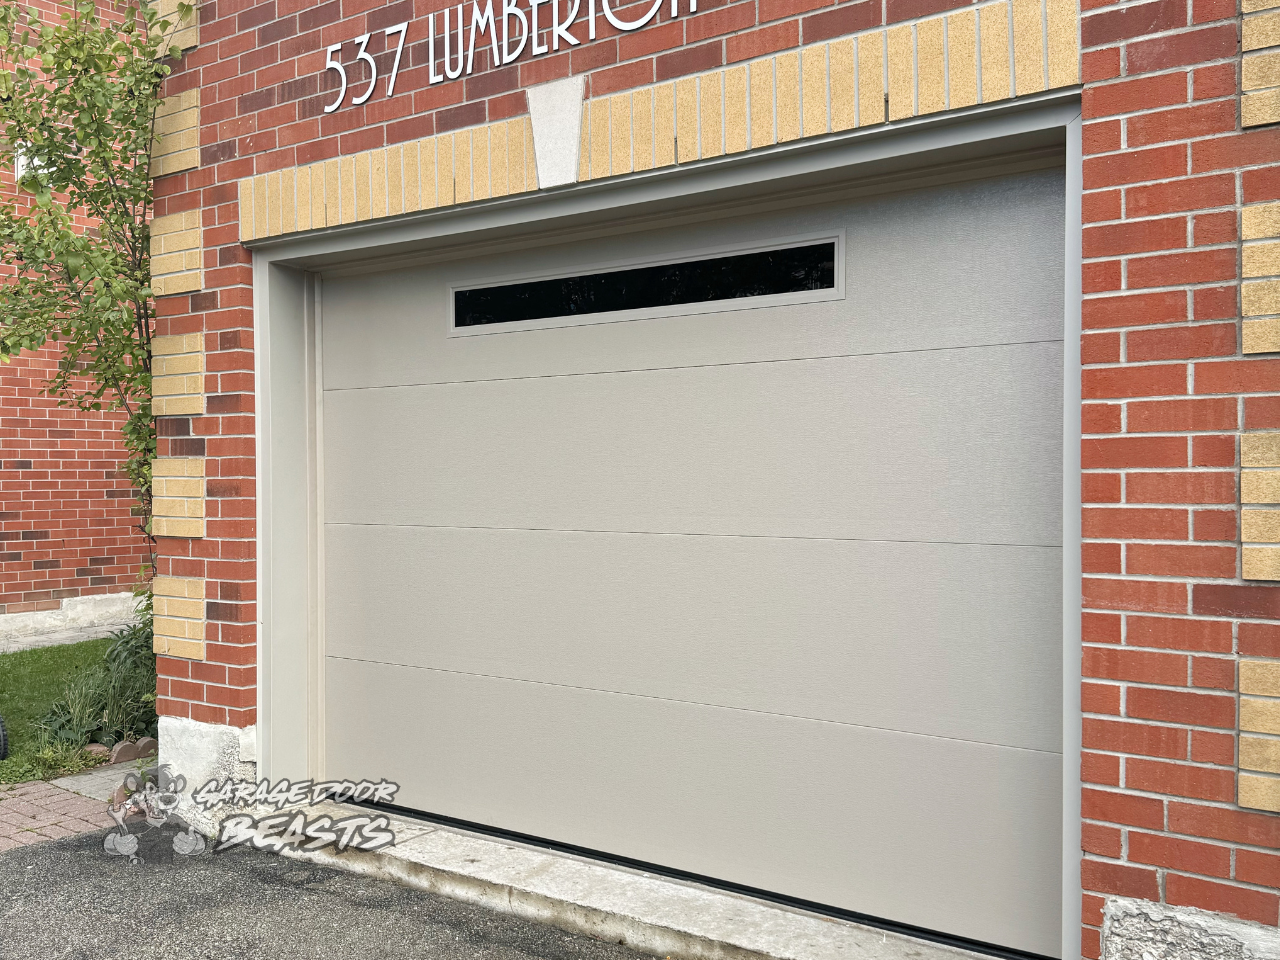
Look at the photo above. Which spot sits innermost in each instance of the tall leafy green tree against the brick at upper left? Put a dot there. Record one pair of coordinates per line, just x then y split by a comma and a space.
79, 103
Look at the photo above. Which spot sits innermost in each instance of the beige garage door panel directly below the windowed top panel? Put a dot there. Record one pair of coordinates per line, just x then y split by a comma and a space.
952, 445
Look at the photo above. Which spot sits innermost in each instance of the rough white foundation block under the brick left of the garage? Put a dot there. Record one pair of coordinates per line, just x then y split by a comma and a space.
204, 752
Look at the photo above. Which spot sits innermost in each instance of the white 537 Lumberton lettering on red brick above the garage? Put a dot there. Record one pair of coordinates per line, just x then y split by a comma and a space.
458, 53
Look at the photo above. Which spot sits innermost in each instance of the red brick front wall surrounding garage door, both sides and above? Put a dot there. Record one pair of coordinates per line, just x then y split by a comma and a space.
1167, 391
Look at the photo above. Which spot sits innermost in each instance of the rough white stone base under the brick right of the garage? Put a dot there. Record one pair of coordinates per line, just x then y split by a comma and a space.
1140, 930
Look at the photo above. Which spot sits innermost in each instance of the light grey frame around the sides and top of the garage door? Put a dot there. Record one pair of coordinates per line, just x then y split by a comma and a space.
290, 547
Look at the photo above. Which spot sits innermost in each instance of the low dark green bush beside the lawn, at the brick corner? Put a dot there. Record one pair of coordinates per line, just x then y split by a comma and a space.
112, 702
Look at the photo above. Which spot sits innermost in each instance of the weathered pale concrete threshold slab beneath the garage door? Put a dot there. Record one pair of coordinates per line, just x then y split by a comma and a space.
650, 913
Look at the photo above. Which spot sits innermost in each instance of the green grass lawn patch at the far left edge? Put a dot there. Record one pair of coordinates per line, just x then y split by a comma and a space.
30, 683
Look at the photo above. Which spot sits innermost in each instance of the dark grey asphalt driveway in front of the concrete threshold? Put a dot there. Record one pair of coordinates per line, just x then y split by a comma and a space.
70, 899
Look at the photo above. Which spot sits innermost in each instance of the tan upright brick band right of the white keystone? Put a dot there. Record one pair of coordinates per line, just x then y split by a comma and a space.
943, 63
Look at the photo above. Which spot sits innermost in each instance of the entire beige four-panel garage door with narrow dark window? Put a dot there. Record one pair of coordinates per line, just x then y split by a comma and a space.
764, 589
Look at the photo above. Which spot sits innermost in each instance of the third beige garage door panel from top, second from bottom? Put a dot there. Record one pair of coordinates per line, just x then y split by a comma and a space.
662, 616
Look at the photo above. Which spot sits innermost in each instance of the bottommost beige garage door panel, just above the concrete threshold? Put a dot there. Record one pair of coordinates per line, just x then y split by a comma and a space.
944, 834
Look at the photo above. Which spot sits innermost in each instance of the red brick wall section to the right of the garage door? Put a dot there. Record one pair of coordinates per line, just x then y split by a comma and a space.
1167, 394
